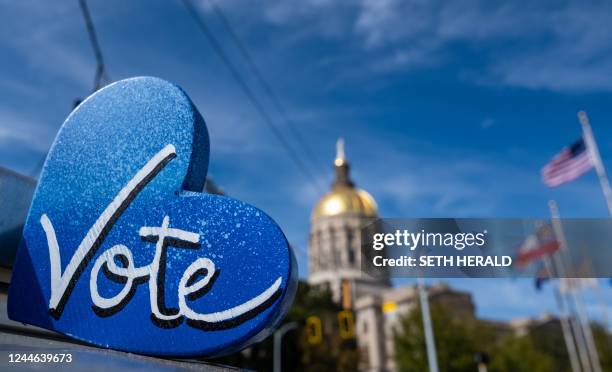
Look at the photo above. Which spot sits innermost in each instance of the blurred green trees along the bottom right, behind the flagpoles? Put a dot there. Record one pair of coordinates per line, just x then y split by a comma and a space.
458, 339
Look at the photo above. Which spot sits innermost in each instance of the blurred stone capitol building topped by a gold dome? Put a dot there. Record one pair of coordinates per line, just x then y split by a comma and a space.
337, 223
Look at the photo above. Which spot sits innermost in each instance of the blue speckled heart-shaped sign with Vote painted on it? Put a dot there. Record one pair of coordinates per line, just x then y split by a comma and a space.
121, 250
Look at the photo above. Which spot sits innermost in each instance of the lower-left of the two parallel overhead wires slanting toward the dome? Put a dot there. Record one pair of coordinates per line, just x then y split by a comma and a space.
247, 91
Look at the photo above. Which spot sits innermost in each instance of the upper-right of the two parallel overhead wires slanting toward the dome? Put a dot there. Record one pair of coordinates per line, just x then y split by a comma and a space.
263, 82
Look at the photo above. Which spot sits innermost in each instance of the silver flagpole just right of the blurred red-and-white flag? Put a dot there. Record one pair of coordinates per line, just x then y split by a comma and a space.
587, 334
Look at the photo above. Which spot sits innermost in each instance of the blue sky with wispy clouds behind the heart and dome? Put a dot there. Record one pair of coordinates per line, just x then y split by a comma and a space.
447, 108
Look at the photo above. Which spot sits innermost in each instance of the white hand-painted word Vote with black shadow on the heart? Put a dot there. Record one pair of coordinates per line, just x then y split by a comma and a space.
195, 281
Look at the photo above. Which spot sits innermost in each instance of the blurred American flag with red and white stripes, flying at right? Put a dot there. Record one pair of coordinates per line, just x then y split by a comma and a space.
571, 163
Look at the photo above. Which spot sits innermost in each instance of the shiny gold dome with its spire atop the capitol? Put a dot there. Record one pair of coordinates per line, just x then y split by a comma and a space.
344, 197
